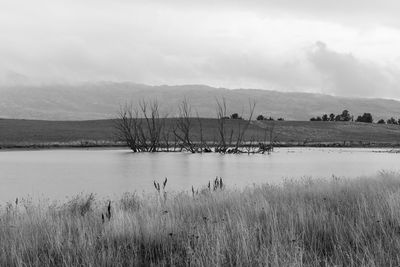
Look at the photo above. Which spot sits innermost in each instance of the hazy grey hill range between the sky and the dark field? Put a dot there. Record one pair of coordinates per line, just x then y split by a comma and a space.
102, 101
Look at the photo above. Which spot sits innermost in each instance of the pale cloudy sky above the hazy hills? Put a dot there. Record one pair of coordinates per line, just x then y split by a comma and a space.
343, 47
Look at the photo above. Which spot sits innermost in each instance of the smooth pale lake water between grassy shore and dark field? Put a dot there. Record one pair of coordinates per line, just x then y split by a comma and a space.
57, 174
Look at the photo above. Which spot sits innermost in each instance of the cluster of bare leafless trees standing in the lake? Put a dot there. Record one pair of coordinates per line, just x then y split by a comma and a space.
145, 129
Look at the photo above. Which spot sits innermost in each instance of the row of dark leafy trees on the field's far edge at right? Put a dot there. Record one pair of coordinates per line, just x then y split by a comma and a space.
346, 116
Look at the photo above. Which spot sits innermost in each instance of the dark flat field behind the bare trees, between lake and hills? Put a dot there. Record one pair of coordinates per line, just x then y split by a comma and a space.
36, 133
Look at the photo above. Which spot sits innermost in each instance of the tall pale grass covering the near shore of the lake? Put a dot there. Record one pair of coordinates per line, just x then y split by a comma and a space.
323, 222
